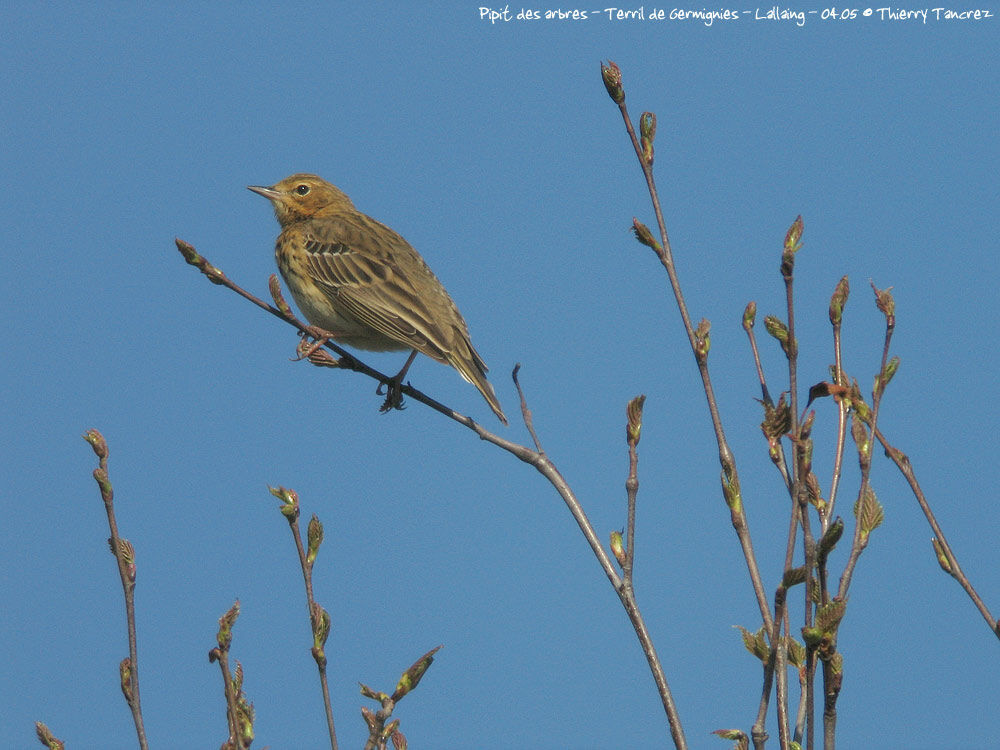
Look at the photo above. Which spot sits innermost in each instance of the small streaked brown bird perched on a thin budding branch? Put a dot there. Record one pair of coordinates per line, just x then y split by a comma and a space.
364, 285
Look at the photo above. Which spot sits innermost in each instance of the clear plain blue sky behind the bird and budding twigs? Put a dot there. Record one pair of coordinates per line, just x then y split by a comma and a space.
494, 149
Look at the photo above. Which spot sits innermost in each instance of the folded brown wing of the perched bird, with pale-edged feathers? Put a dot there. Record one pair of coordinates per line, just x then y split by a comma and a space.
407, 304
